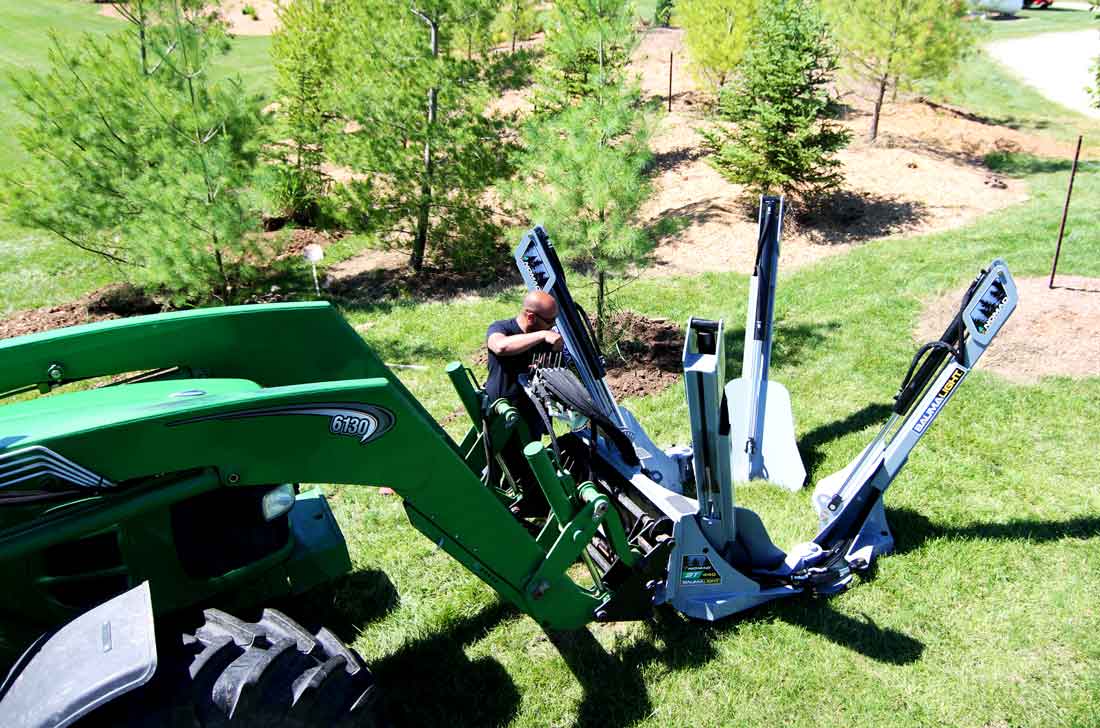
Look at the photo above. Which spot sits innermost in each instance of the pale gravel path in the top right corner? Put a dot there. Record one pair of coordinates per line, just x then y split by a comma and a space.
1057, 64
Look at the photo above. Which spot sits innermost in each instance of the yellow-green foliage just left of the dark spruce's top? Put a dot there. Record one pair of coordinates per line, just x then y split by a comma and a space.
717, 35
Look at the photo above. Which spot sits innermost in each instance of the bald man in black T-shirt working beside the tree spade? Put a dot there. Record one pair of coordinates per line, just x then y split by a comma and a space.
513, 345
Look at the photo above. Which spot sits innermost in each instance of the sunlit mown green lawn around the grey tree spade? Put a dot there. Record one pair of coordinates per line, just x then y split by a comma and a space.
985, 617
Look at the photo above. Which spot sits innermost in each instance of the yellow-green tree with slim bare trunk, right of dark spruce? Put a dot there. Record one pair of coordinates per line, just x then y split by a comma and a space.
898, 42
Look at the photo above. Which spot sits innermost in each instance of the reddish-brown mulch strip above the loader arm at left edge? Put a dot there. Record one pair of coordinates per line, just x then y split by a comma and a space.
114, 302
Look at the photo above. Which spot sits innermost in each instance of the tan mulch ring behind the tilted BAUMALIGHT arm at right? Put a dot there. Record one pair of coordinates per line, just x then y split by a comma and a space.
1051, 334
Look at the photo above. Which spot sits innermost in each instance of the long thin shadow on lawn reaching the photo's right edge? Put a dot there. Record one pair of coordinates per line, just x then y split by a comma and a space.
912, 530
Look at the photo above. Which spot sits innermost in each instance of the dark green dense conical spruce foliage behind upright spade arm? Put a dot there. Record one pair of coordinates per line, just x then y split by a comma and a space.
782, 105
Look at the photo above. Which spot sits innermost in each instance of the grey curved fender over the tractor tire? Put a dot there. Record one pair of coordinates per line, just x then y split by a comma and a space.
102, 655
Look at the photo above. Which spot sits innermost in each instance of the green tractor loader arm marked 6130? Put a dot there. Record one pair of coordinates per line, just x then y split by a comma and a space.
251, 396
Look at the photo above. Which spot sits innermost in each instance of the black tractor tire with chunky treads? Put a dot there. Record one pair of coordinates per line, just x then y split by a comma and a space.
273, 674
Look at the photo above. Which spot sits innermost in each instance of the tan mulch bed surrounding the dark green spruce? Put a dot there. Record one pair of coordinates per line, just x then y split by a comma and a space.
895, 187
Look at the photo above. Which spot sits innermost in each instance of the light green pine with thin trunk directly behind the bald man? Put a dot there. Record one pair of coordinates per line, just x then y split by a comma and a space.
584, 171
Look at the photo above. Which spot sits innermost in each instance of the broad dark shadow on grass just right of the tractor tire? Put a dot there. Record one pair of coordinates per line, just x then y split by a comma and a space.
433, 682
